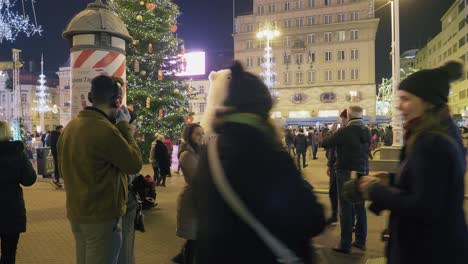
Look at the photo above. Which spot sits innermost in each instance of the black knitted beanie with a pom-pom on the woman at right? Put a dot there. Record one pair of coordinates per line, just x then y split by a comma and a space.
433, 85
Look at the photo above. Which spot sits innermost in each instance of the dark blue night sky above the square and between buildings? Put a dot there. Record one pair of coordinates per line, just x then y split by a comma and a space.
207, 25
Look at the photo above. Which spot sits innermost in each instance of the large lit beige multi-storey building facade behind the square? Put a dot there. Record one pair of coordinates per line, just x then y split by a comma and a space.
324, 56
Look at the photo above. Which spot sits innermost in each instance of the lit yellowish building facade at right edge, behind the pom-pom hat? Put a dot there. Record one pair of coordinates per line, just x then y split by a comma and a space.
450, 43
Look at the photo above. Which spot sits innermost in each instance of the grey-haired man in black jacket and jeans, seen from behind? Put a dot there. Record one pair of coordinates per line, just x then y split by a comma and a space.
352, 147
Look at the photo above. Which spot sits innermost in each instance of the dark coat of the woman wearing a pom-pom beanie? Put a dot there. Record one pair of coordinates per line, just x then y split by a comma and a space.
427, 222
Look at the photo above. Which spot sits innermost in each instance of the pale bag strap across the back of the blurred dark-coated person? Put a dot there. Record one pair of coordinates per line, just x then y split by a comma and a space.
279, 249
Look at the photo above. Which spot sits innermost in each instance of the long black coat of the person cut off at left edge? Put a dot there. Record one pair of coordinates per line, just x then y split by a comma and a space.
16, 170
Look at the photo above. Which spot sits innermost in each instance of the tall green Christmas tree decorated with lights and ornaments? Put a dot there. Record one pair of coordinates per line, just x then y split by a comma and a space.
155, 56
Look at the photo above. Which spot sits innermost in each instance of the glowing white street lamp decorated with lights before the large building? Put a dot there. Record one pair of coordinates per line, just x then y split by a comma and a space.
268, 75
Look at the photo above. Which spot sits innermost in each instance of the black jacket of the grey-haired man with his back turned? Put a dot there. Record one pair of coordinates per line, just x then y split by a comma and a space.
352, 146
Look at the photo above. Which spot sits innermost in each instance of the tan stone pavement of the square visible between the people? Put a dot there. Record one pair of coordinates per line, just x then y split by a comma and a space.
49, 240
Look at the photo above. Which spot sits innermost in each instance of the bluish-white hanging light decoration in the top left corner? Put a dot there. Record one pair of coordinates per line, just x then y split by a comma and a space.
12, 23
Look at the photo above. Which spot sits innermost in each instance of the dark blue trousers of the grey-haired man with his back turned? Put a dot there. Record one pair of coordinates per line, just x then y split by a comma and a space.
346, 215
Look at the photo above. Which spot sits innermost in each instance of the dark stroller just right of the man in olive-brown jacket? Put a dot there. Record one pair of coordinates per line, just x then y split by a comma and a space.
144, 186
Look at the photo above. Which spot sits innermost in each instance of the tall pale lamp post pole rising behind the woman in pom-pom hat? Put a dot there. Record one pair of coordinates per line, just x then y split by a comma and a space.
397, 124
